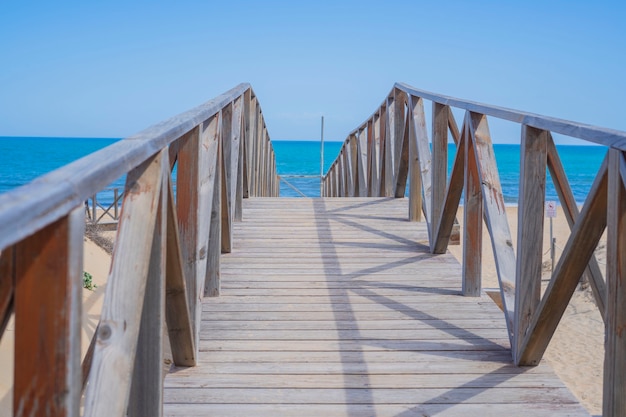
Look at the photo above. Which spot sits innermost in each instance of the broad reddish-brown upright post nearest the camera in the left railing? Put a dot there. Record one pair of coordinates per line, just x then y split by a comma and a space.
48, 272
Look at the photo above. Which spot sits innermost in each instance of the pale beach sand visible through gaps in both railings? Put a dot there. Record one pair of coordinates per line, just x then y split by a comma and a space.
576, 352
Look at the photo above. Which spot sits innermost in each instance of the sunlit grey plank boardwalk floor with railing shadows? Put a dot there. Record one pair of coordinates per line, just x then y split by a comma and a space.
335, 307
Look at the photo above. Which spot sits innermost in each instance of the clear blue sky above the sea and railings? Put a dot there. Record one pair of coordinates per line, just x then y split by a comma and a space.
111, 68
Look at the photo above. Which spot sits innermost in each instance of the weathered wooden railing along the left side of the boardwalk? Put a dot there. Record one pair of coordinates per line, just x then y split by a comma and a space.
166, 257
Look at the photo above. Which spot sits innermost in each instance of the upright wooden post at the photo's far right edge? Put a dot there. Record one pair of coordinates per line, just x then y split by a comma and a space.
613, 401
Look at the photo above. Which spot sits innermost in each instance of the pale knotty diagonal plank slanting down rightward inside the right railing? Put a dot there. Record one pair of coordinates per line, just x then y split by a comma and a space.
495, 213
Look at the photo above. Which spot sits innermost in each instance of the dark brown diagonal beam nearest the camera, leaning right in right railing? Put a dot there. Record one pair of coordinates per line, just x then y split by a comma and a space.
578, 250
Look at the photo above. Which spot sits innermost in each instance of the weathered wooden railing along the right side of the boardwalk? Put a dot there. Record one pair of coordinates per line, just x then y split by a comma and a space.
393, 147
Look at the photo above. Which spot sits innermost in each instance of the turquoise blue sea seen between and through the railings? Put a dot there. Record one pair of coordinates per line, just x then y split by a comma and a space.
22, 159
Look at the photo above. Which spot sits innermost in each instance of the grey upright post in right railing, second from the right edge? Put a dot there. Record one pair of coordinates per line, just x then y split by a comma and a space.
531, 206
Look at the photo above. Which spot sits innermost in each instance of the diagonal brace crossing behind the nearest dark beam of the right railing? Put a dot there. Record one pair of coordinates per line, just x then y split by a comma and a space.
592, 273
